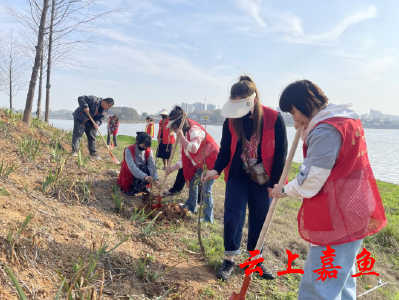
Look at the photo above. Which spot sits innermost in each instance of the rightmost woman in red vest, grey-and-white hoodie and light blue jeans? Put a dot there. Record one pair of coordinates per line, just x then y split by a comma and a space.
341, 202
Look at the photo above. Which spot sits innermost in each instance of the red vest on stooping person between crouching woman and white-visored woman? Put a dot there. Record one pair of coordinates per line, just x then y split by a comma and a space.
211, 152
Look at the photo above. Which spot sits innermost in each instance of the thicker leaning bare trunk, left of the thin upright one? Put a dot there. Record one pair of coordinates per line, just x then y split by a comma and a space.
39, 50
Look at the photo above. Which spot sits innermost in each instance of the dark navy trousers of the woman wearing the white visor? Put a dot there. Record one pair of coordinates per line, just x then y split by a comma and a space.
241, 191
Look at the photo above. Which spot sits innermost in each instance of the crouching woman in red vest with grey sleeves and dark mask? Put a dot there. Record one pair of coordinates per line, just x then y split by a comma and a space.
138, 169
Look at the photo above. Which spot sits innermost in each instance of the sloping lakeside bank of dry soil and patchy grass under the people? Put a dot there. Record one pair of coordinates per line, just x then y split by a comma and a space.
76, 212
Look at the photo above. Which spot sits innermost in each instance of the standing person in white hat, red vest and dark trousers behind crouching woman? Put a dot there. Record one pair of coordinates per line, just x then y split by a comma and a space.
165, 138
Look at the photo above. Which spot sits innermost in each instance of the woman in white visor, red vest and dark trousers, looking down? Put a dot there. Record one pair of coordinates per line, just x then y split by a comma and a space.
254, 136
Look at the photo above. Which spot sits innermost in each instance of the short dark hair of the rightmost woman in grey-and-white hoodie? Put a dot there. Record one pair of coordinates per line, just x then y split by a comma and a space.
304, 95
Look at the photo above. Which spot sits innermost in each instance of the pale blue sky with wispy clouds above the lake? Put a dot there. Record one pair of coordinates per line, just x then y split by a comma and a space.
165, 52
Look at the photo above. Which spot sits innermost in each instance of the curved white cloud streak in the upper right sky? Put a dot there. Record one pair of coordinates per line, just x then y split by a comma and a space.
332, 35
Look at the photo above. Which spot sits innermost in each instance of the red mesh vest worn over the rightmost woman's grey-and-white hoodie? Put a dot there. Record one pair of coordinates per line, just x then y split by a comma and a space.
349, 206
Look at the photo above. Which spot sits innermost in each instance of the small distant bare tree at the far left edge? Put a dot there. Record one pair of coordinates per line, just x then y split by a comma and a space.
13, 68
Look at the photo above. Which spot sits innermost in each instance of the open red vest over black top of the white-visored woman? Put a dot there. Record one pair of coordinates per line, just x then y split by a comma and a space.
268, 140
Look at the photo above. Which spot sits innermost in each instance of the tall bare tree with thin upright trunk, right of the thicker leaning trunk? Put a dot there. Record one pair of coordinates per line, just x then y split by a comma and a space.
70, 29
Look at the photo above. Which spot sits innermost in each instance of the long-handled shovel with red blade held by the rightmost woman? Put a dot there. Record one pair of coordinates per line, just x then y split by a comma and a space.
269, 217
